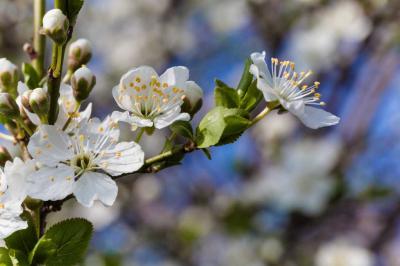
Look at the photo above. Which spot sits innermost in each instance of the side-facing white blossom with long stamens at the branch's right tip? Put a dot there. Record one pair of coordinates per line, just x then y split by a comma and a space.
283, 84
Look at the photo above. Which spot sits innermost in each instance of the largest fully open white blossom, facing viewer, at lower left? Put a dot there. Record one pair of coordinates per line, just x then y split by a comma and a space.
81, 162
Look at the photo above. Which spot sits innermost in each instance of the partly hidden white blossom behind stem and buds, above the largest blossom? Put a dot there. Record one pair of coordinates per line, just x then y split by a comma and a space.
68, 106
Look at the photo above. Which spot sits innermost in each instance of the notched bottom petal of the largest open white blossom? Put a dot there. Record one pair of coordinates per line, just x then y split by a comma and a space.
93, 186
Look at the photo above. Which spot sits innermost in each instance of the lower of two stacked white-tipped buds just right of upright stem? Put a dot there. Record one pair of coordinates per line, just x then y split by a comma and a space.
82, 82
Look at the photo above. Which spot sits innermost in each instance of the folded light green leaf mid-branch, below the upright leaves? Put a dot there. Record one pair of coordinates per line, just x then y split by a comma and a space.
219, 124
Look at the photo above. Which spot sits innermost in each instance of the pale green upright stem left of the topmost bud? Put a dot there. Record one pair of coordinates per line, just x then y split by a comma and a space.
39, 40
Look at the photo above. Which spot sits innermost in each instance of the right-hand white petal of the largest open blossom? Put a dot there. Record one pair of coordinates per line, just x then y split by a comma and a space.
125, 157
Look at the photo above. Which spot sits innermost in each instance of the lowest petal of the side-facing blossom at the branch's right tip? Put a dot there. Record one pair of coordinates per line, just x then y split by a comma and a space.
315, 117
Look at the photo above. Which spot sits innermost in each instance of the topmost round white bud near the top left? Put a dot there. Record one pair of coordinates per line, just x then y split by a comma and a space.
55, 25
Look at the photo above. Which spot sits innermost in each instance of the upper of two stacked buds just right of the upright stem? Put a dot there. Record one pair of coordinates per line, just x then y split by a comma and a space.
79, 53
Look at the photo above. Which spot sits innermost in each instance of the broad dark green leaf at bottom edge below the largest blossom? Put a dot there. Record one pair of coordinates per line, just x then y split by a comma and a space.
64, 243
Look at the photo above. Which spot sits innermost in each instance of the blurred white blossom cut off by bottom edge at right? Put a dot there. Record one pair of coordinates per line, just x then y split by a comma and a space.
341, 252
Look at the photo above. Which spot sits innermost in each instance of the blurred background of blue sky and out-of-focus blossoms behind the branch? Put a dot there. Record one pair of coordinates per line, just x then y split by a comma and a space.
282, 194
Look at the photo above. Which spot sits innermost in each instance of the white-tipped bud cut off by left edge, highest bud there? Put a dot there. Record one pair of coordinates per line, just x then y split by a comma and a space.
8, 76
